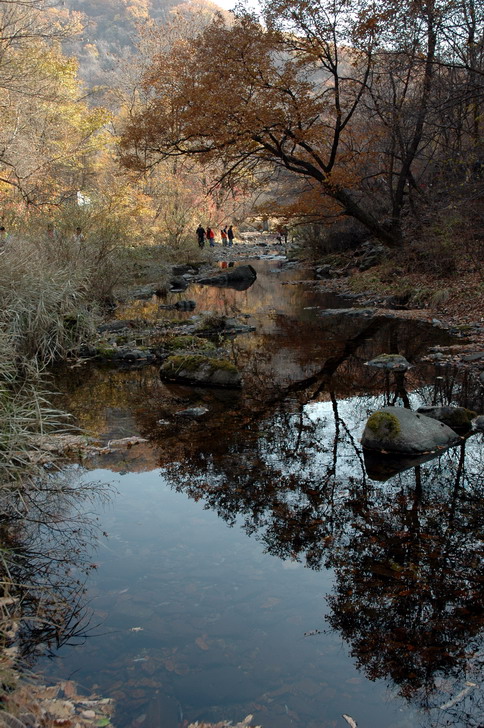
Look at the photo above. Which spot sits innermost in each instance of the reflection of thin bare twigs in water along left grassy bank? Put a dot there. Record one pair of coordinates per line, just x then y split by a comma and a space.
46, 534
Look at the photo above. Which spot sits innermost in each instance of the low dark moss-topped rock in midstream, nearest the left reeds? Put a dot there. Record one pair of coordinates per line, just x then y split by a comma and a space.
201, 370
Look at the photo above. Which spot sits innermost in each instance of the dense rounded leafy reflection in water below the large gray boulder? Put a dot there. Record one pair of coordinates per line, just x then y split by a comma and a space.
410, 580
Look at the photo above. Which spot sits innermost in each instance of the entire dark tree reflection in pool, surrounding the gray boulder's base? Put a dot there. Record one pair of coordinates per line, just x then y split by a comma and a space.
407, 555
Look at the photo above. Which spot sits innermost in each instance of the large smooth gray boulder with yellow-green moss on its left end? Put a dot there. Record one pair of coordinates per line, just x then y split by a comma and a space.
399, 430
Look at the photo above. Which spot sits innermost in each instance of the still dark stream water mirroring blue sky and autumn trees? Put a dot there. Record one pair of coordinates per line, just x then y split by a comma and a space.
253, 564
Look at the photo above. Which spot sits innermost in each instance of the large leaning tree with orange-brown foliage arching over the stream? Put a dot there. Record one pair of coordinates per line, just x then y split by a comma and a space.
352, 102
